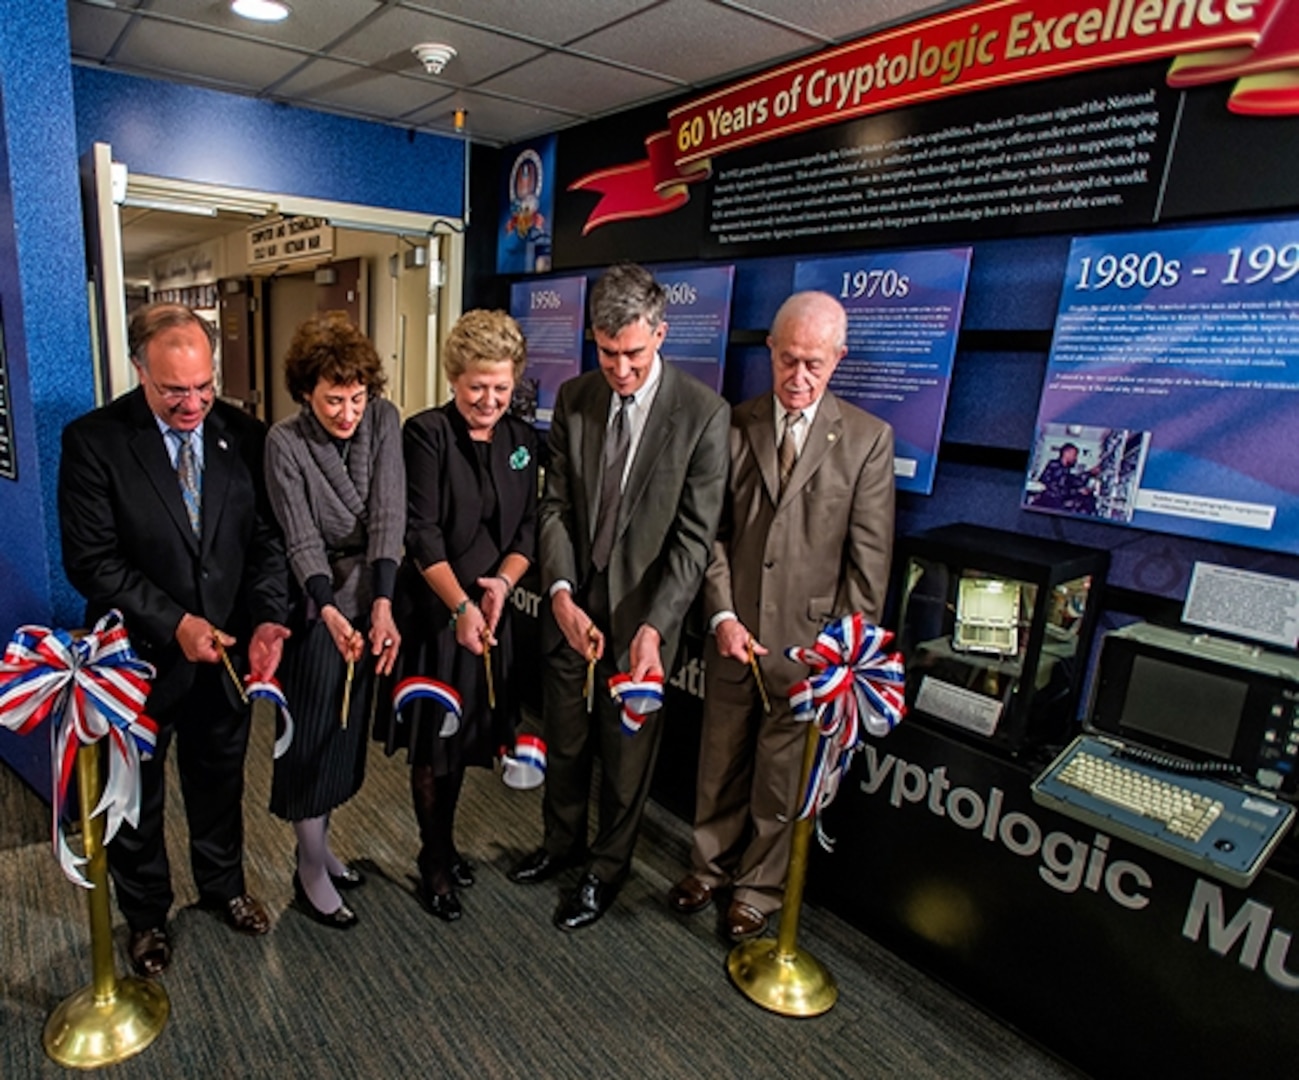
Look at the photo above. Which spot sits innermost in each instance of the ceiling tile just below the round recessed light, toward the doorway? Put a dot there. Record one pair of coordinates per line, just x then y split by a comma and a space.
170, 50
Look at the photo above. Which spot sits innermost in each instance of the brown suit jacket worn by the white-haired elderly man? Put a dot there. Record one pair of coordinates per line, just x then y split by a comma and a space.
788, 566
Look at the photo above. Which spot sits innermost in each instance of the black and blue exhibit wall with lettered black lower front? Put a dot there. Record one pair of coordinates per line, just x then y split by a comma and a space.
1115, 958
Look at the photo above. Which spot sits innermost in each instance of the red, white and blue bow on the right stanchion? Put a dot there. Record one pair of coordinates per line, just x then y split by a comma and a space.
854, 688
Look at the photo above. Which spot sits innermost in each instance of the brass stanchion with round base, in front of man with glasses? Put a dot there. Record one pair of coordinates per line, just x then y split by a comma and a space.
111, 1020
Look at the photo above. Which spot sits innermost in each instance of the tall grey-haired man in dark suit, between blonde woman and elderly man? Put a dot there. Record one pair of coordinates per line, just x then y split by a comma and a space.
635, 491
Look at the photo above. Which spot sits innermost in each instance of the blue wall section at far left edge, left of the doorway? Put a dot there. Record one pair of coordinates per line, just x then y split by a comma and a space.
44, 306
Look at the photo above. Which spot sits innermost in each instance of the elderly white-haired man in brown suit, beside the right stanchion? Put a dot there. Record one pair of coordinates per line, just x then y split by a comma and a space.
807, 539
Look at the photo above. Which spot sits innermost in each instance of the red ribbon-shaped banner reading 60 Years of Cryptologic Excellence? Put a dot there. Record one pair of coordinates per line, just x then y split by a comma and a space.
974, 49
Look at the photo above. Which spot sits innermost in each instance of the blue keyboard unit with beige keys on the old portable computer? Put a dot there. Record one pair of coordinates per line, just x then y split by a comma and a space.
1226, 831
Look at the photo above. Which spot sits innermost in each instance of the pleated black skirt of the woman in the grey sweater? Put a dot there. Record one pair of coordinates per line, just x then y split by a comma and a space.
325, 765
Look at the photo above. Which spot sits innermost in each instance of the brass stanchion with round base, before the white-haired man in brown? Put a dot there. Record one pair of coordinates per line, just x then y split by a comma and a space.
779, 975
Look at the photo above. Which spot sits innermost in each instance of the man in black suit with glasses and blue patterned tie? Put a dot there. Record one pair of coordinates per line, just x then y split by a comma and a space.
164, 515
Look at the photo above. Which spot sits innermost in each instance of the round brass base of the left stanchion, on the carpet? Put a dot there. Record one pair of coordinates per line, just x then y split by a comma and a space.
84, 1034
